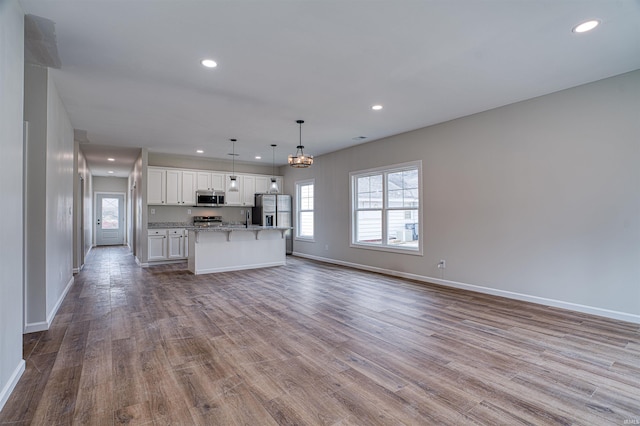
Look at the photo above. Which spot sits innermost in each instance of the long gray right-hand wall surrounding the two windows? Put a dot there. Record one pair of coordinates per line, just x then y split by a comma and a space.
537, 200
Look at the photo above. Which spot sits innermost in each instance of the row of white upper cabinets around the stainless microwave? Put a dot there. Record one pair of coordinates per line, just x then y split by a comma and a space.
176, 187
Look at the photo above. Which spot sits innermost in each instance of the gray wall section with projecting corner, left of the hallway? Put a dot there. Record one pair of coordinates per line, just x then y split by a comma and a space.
49, 207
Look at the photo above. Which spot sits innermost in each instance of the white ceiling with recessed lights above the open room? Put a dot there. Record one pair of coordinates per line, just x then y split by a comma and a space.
131, 73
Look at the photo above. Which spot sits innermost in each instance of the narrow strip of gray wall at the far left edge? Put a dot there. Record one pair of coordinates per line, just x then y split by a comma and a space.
11, 189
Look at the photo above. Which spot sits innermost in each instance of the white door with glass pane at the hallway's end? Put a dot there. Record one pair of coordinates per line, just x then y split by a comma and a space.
109, 219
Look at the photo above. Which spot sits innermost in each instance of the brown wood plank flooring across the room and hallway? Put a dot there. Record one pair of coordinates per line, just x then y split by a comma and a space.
326, 346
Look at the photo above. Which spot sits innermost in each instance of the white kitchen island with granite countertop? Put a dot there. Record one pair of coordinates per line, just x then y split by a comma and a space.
237, 247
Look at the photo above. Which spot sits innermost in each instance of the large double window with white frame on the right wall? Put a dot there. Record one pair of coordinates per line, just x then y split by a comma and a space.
386, 208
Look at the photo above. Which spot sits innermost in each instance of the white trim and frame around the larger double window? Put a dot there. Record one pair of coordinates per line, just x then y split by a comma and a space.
378, 247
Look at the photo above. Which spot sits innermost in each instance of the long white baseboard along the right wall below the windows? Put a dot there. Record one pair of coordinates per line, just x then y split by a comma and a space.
623, 316
